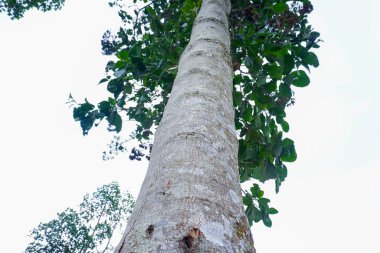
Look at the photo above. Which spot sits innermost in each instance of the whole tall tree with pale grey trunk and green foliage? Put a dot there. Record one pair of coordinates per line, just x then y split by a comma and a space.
236, 77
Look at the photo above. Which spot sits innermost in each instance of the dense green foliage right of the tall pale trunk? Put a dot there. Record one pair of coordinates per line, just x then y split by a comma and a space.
271, 52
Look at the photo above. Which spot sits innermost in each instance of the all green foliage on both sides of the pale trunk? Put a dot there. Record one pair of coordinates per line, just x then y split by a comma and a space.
271, 43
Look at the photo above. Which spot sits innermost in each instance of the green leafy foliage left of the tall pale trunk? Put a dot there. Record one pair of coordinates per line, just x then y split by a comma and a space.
147, 49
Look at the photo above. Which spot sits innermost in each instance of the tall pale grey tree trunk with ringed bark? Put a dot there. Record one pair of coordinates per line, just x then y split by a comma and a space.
190, 200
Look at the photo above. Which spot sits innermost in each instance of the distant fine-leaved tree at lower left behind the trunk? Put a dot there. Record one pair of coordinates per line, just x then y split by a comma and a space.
90, 229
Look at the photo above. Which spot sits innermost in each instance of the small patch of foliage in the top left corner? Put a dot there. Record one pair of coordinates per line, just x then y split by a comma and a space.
16, 8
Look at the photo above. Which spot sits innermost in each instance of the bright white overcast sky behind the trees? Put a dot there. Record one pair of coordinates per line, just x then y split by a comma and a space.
330, 201
